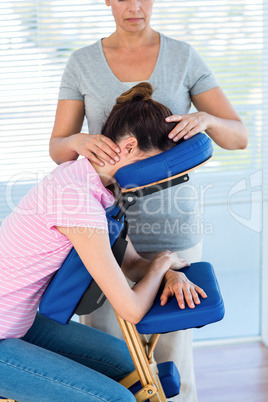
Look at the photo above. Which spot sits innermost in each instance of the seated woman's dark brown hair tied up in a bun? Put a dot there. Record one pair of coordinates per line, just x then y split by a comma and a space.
137, 114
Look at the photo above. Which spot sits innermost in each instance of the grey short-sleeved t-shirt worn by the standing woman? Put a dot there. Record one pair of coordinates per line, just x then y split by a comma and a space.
168, 219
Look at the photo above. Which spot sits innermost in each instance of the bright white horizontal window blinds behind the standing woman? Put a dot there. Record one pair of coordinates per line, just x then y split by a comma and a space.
37, 37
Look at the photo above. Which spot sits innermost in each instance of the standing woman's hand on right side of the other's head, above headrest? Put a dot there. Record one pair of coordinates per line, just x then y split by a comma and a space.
188, 125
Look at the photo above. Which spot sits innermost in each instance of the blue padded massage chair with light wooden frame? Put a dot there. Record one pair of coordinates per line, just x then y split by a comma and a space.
73, 291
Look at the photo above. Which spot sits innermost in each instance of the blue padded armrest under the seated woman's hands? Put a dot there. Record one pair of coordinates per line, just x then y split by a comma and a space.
168, 318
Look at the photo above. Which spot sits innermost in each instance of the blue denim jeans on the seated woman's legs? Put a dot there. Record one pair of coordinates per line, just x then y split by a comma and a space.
60, 363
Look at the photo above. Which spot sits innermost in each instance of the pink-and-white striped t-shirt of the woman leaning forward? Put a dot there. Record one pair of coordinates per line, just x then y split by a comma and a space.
32, 249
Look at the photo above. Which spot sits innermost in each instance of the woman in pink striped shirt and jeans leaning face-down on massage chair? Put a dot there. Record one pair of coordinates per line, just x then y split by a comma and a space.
41, 360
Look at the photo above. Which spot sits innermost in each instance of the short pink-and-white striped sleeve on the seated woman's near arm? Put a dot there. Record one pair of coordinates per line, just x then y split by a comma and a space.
75, 199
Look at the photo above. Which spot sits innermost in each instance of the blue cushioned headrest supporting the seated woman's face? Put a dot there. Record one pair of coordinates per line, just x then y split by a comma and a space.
181, 158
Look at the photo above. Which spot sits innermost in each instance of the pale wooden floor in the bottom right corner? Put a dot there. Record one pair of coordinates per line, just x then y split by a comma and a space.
237, 373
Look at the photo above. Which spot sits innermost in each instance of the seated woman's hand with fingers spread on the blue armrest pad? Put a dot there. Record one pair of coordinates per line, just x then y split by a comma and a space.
176, 283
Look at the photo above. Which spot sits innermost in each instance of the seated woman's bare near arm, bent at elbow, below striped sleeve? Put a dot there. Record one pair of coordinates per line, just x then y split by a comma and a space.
94, 249
